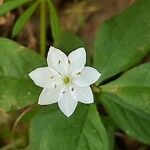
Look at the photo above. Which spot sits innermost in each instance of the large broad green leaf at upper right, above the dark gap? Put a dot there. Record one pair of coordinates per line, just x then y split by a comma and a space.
124, 40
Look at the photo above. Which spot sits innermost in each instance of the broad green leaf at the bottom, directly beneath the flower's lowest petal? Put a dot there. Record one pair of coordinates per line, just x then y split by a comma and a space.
51, 130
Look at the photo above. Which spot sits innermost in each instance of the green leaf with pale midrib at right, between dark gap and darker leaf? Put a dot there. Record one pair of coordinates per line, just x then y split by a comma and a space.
133, 89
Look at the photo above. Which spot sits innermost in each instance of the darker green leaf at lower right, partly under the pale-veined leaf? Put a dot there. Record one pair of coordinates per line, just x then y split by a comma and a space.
130, 122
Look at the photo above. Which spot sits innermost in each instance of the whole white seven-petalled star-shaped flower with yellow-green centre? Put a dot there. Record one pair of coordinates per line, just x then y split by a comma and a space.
66, 80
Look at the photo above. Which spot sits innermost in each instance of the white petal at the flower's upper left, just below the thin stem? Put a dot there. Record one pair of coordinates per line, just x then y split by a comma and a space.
57, 60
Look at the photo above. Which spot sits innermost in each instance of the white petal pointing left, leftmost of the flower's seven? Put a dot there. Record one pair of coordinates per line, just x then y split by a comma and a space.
45, 77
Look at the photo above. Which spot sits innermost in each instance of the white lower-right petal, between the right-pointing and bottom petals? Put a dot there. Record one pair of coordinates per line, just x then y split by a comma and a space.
82, 94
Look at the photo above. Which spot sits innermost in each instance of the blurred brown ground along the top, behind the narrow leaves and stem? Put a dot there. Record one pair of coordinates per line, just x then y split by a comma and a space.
80, 16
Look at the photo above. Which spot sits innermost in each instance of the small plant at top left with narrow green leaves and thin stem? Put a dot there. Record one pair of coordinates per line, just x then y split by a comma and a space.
45, 5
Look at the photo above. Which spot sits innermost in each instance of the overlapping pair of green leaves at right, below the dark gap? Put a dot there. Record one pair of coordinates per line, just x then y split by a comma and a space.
127, 102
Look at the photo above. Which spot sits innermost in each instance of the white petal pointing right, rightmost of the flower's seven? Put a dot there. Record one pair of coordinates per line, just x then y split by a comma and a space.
87, 76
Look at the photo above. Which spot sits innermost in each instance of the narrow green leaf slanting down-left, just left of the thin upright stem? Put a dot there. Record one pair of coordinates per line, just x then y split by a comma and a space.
24, 18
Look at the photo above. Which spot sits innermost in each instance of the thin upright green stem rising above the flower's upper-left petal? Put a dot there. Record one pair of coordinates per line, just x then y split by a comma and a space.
43, 28
